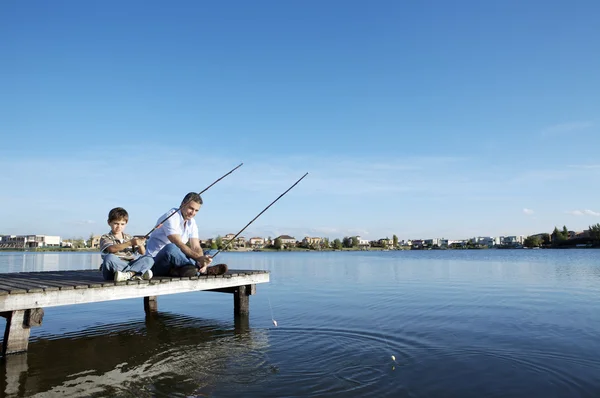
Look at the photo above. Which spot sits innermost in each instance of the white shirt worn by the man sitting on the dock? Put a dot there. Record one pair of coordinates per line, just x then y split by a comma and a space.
176, 225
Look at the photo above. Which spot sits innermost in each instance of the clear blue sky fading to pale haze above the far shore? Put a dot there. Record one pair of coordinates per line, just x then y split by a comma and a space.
422, 119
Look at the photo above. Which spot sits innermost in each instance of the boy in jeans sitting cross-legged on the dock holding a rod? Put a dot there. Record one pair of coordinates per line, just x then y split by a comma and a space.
123, 257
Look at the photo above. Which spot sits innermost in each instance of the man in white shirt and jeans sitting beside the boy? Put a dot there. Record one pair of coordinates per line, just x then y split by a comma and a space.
168, 243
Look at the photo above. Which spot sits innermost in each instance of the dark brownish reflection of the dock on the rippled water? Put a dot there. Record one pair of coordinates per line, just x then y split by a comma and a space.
165, 355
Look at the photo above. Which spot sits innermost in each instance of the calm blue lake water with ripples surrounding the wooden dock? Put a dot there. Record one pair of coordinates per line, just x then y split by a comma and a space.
488, 323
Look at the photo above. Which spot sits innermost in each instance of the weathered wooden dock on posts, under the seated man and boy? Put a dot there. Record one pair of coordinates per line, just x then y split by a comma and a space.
23, 296
